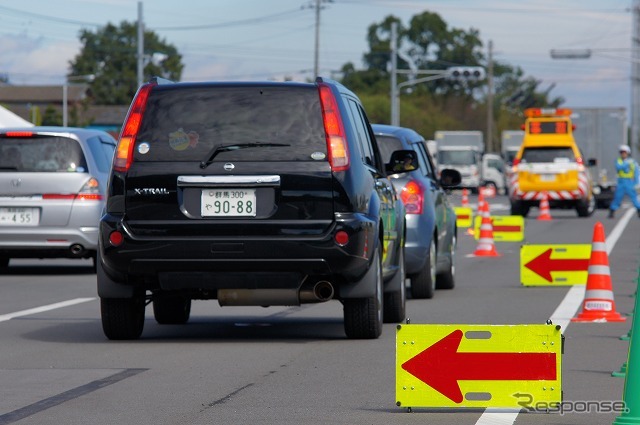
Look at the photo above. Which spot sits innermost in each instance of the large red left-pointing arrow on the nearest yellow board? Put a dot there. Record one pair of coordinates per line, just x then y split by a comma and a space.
441, 366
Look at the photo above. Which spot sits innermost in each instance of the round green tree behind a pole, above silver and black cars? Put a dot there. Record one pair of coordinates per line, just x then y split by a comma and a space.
110, 54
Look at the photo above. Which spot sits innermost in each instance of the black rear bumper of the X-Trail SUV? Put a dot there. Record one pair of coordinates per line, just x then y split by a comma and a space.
208, 264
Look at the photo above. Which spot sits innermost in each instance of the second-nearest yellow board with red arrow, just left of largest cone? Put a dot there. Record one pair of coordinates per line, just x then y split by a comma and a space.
554, 265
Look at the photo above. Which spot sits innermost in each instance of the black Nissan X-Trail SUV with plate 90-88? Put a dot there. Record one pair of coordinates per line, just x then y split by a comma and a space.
252, 194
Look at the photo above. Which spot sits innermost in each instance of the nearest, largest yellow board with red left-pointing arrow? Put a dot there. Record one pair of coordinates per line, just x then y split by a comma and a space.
506, 366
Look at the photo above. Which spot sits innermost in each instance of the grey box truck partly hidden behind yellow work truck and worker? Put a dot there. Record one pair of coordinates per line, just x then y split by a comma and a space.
598, 133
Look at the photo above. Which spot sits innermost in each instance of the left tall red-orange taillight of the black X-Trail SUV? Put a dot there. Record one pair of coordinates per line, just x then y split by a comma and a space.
124, 151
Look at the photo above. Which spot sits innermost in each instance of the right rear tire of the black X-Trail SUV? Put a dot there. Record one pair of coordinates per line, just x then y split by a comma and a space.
363, 316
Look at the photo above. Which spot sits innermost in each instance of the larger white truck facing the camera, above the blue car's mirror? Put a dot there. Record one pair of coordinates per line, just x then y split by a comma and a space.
462, 151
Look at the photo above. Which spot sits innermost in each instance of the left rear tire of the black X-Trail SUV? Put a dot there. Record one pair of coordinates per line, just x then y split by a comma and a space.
122, 318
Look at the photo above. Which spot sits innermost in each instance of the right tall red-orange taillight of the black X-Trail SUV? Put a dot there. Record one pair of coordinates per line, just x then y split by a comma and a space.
336, 140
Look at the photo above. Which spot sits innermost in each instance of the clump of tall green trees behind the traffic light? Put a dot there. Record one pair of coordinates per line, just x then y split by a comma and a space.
442, 104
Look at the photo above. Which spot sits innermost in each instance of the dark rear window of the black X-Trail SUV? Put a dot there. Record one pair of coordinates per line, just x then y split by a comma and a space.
187, 124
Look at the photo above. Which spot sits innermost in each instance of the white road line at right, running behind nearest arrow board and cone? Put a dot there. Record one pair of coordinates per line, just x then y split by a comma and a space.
562, 316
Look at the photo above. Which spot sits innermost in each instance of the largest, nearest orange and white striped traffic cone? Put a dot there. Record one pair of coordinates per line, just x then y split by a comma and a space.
598, 304
